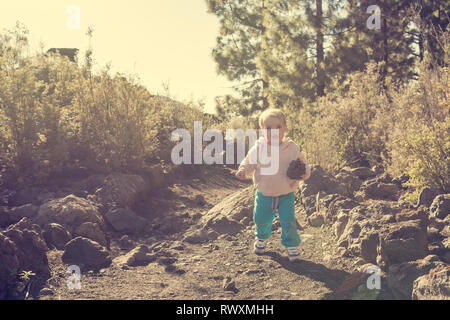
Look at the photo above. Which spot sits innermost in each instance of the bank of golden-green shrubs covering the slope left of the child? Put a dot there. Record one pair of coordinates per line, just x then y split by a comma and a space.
56, 116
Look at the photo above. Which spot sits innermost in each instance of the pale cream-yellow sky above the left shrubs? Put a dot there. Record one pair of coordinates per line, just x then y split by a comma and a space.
161, 41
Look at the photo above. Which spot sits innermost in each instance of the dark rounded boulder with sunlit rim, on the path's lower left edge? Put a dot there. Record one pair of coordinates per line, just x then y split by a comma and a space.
86, 254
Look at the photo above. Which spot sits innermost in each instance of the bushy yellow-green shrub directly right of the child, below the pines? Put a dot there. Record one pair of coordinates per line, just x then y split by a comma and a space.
341, 128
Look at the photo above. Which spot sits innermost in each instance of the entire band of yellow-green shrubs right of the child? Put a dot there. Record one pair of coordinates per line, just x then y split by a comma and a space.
404, 128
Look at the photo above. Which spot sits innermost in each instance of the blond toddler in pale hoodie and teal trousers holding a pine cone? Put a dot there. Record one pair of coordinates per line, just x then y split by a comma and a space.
274, 191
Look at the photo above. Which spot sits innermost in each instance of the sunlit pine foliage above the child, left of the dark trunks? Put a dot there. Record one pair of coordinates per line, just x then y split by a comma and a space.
266, 44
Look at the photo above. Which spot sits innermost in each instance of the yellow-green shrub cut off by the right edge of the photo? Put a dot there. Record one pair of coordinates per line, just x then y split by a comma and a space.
420, 138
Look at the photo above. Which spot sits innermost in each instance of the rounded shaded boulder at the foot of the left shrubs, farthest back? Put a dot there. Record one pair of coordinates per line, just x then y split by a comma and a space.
121, 190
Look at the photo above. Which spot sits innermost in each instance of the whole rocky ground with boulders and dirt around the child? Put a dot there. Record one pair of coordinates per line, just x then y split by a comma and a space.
194, 239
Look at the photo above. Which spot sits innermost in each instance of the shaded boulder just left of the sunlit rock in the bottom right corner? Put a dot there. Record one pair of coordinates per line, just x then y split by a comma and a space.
400, 277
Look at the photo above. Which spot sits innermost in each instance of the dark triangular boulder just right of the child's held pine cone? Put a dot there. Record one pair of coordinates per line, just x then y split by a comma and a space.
321, 181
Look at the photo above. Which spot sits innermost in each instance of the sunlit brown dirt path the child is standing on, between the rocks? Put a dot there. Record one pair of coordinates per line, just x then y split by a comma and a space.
197, 271
